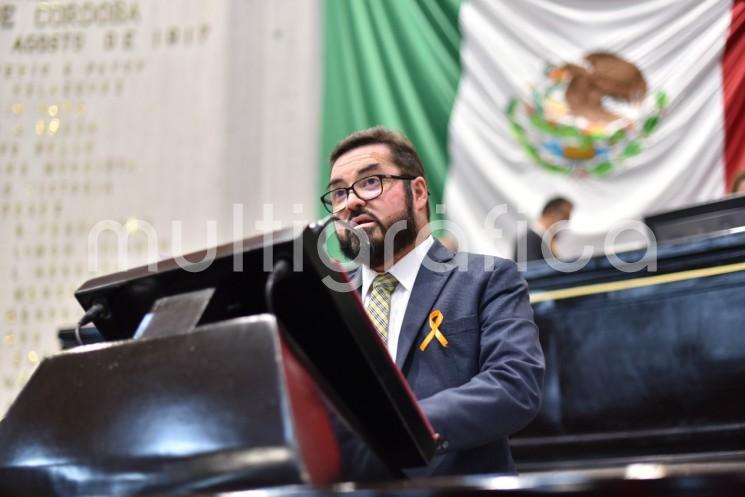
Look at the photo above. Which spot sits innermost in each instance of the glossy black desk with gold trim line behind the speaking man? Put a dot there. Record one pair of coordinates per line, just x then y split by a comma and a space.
641, 363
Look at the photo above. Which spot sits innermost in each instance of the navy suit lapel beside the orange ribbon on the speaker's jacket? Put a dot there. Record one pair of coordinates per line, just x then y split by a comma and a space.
427, 287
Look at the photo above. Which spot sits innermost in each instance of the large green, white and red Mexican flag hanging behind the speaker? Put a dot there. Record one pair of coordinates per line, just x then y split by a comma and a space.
626, 108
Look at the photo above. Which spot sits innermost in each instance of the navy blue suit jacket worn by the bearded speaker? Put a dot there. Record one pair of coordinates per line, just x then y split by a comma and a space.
486, 384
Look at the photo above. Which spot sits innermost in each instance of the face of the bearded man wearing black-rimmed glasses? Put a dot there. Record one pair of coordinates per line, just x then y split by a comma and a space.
375, 216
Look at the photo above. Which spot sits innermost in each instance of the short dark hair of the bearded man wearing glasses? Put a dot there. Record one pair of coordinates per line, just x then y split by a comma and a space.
402, 151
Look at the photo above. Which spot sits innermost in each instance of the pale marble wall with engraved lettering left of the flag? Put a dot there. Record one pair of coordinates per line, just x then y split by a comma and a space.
136, 130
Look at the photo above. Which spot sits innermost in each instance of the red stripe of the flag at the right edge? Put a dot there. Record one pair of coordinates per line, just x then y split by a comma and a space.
733, 75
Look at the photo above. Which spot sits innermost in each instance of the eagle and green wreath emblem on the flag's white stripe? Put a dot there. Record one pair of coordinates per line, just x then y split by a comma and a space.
587, 119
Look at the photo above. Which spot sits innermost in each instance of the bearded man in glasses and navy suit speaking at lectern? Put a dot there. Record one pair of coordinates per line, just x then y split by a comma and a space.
479, 380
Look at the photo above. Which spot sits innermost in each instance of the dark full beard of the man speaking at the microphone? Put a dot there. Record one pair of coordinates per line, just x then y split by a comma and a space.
371, 248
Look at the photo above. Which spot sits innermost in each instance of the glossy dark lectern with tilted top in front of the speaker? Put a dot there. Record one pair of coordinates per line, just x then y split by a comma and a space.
232, 402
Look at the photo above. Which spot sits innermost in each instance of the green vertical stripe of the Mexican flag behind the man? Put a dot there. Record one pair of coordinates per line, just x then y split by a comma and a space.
395, 63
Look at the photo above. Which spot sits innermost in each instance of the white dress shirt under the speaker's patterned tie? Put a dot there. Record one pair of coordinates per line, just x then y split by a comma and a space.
405, 271
